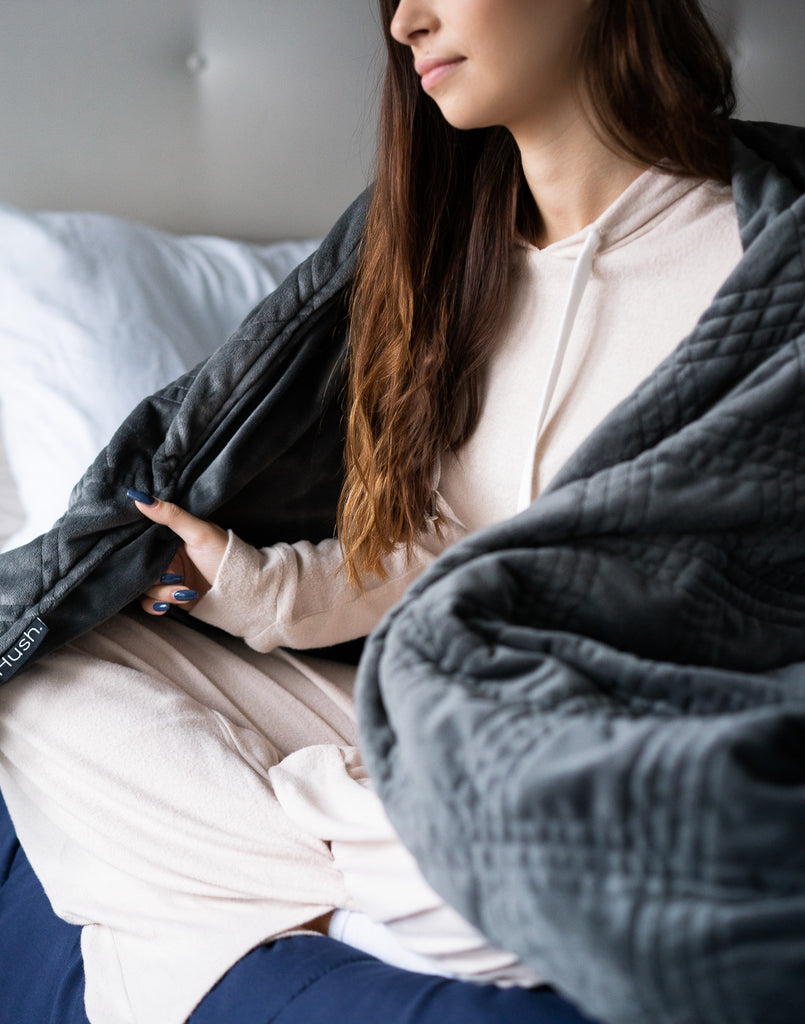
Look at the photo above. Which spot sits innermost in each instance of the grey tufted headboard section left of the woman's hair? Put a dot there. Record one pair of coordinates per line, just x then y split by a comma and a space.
247, 118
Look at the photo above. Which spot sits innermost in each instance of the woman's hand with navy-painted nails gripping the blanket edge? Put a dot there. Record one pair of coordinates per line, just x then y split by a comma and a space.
193, 570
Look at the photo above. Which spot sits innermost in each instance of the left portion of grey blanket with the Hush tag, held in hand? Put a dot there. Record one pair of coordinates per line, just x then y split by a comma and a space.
250, 439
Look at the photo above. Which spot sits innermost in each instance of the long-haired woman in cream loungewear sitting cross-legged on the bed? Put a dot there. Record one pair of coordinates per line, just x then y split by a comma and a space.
553, 215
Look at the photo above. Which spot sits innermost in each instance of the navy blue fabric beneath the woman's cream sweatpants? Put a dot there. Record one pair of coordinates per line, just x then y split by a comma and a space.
302, 980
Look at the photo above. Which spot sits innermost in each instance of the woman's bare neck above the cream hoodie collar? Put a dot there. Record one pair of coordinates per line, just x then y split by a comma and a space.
573, 177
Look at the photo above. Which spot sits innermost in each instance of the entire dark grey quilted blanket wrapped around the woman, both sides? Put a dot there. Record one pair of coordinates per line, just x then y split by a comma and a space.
588, 722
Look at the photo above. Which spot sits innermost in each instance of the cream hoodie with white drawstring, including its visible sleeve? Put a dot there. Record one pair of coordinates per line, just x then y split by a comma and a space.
591, 317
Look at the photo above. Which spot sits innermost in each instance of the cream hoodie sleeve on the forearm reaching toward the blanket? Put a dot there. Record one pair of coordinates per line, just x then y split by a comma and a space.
293, 595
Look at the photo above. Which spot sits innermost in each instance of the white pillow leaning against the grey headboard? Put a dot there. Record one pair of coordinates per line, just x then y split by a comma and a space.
96, 314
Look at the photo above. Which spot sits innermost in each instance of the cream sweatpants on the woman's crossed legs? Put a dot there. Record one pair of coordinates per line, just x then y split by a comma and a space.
185, 799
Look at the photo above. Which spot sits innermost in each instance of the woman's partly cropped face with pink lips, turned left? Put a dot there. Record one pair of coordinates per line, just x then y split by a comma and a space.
497, 62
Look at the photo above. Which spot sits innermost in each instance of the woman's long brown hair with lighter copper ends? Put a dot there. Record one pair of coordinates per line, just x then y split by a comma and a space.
434, 279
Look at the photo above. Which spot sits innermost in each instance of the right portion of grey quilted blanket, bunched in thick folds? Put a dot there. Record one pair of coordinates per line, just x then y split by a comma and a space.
588, 723
